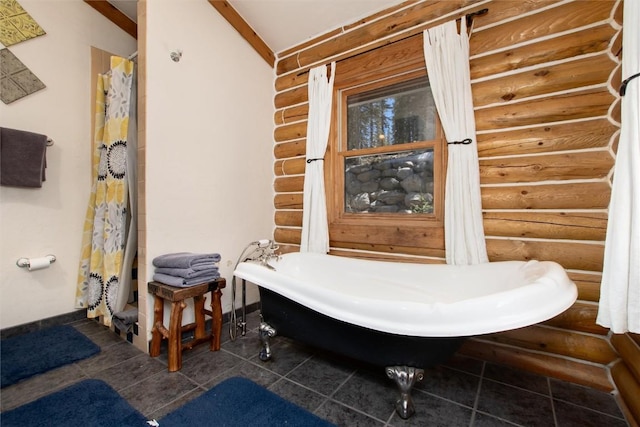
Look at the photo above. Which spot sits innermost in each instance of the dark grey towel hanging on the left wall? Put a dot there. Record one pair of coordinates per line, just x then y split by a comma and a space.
22, 158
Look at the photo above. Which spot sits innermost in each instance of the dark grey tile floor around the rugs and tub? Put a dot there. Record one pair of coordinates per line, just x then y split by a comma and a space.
464, 392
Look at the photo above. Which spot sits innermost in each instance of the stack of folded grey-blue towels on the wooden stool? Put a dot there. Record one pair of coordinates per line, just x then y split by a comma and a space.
184, 269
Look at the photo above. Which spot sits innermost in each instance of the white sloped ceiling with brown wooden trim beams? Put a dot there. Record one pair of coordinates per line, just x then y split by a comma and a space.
276, 24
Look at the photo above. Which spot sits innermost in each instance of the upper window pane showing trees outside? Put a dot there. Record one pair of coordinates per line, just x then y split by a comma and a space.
396, 114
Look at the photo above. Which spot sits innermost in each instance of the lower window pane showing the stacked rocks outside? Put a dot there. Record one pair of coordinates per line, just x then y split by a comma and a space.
390, 183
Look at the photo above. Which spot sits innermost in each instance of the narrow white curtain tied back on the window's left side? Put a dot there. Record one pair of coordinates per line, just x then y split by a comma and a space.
315, 230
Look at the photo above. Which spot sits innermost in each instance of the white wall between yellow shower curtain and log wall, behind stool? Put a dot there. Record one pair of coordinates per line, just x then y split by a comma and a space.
209, 140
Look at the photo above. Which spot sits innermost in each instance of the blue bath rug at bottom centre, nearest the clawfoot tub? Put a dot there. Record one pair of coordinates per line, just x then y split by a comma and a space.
241, 402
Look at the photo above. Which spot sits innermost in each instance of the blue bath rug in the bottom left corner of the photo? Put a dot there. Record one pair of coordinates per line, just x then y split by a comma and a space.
89, 403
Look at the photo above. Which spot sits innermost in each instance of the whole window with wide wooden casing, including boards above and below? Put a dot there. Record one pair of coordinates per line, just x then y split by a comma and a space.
384, 169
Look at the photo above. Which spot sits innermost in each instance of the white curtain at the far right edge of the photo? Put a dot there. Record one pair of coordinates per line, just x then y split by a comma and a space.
619, 307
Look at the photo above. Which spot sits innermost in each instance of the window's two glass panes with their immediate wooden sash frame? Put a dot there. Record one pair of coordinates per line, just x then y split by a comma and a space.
388, 152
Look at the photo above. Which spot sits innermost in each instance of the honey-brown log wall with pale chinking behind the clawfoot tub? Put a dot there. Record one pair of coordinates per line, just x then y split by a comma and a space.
544, 75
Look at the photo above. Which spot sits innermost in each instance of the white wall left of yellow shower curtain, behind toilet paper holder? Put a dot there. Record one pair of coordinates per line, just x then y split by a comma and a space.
36, 222
